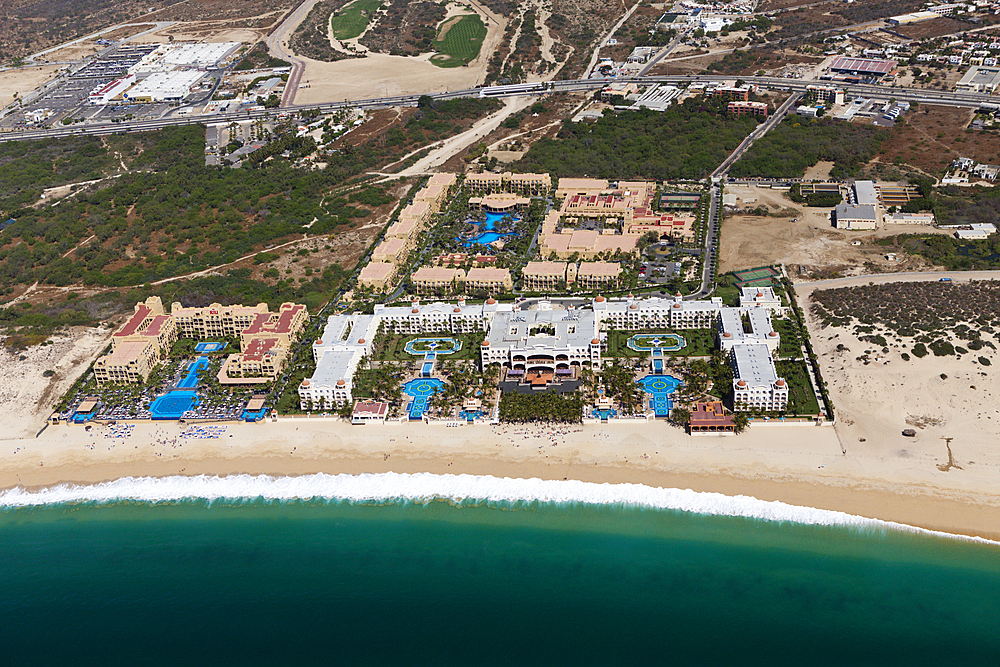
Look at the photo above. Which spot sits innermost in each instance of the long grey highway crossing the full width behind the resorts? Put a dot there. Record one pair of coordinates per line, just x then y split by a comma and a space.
948, 98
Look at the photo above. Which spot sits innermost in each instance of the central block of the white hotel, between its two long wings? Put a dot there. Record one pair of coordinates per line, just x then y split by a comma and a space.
556, 341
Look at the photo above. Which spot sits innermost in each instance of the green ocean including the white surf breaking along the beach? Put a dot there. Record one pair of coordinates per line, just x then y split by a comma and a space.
459, 570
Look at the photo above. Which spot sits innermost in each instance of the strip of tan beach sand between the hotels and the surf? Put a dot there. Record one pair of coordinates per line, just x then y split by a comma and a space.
796, 465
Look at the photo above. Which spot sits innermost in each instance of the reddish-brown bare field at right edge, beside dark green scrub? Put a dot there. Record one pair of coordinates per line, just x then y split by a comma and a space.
930, 137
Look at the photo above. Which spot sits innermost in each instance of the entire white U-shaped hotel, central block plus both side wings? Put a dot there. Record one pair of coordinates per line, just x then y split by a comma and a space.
557, 340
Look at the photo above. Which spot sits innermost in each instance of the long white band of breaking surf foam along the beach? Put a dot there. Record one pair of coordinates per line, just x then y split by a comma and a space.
423, 487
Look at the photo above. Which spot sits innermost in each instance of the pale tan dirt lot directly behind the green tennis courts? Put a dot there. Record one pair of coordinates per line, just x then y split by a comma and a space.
810, 247
